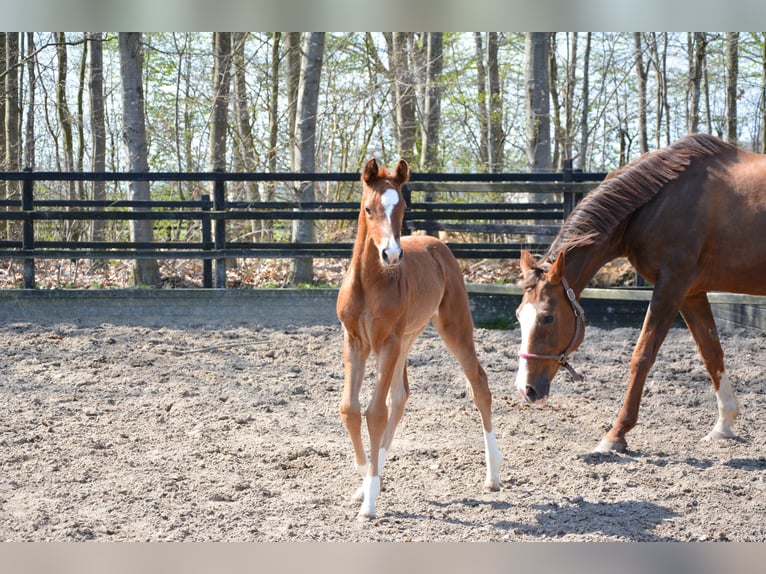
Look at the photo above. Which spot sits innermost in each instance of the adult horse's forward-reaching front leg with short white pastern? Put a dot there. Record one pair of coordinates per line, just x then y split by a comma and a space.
659, 318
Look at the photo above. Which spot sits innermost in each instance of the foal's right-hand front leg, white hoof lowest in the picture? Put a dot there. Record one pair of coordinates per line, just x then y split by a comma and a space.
377, 421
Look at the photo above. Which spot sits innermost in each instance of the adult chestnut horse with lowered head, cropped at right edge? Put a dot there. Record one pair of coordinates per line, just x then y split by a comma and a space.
690, 218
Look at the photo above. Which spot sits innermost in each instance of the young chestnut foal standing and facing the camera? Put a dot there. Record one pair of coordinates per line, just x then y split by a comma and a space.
395, 286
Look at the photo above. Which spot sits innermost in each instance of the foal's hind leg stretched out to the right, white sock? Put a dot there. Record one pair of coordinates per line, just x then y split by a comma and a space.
455, 326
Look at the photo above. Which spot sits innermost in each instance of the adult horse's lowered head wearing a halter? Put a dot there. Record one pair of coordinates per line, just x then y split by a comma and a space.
552, 326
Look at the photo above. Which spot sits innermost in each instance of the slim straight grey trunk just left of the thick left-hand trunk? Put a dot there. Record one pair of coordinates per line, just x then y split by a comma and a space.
97, 124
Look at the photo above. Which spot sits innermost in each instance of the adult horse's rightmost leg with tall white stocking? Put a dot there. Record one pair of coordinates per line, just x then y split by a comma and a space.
699, 318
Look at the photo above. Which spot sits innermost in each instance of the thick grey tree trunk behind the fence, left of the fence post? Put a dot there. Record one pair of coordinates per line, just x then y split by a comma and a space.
145, 271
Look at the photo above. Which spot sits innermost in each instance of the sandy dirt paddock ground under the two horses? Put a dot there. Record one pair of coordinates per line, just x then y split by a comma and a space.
118, 433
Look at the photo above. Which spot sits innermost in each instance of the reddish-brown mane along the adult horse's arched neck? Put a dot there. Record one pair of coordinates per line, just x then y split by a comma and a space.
597, 217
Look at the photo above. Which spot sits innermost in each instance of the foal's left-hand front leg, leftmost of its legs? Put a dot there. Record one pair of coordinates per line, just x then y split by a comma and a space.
355, 354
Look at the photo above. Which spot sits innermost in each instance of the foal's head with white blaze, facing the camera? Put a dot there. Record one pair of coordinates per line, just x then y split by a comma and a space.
383, 208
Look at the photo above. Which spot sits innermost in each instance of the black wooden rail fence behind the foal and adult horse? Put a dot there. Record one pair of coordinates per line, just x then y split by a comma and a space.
436, 203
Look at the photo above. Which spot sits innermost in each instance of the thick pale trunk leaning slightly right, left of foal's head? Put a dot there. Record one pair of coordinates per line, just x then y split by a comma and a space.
305, 137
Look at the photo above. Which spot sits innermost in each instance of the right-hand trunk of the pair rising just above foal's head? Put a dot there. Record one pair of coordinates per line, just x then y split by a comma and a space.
429, 159
